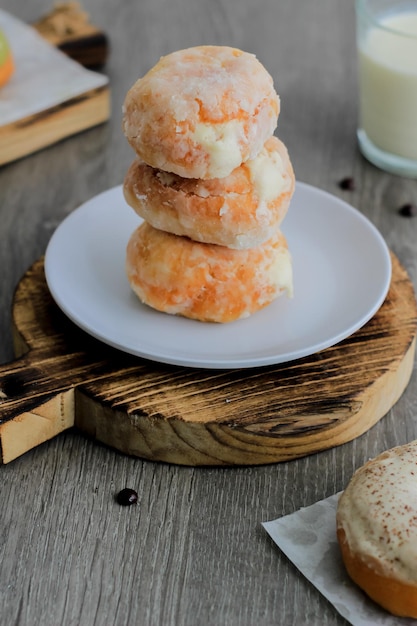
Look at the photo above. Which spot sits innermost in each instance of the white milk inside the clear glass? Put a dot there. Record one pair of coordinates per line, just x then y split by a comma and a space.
388, 85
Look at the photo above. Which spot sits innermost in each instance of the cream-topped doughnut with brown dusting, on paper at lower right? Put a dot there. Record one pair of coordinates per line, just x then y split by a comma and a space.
377, 529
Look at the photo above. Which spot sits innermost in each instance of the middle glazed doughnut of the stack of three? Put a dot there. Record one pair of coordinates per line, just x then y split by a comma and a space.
239, 211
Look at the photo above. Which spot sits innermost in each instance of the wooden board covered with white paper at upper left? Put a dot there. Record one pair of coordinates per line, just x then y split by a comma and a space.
48, 97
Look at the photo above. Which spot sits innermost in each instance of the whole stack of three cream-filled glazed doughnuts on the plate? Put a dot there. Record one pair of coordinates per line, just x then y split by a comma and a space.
211, 183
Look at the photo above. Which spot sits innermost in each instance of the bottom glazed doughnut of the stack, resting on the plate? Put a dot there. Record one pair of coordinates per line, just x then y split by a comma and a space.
203, 281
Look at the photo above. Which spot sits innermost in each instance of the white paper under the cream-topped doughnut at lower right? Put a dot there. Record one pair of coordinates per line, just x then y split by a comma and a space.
308, 538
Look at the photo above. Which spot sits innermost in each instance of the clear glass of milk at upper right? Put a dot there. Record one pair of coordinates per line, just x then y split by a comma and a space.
387, 65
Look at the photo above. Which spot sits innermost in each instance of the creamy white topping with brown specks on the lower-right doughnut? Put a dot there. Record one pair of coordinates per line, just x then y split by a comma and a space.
378, 511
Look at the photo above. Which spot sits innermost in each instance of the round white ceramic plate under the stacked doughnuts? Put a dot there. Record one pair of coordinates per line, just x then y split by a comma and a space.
342, 272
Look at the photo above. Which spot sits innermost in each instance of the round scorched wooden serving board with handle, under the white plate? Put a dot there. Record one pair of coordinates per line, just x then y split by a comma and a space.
64, 378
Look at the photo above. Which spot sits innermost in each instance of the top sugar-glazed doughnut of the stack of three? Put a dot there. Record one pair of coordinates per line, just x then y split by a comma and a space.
201, 112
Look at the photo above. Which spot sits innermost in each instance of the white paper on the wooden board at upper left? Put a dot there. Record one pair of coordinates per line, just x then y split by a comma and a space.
44, 77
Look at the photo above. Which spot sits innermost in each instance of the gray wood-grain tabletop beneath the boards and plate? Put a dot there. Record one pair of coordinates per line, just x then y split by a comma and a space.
192, 552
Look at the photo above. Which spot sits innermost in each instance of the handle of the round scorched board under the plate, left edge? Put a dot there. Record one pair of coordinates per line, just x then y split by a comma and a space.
32, 408
